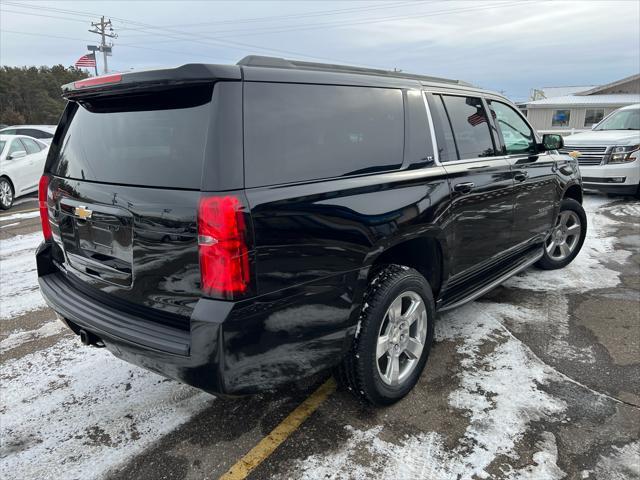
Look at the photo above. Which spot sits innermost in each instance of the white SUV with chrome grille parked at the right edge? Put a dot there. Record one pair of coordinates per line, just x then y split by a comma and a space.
609, 155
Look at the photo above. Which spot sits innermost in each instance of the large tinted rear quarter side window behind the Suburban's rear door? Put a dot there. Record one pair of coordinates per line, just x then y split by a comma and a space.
305, 132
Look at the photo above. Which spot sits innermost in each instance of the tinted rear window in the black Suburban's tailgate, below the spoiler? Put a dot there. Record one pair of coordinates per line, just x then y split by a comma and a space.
154, 139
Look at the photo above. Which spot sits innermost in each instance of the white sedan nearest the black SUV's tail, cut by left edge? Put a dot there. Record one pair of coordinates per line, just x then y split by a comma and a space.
22, 161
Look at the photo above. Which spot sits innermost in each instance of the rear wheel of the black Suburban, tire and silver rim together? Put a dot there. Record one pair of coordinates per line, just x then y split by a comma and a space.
395, 335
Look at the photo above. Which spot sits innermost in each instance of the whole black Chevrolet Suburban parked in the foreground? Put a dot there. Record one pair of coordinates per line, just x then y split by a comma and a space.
239, 227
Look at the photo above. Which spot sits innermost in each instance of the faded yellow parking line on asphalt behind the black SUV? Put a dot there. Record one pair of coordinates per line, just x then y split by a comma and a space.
268, 444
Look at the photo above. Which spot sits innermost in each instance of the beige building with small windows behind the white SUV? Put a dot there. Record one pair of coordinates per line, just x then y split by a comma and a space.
573, 109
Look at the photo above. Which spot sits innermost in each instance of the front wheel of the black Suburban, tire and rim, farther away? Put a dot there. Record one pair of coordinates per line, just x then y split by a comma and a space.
567, 236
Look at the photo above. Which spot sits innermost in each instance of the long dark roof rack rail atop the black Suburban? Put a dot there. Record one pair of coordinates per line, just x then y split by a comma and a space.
277, 62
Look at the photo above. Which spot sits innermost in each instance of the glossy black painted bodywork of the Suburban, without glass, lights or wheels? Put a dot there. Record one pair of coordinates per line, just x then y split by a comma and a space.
313, 245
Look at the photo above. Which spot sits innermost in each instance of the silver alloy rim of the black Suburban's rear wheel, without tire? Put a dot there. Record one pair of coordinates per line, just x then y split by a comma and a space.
401, 338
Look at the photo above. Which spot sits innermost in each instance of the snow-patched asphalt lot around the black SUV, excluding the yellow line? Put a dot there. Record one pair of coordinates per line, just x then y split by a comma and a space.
539, 379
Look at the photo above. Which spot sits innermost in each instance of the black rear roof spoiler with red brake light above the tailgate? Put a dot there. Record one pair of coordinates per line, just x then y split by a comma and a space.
149, 79
